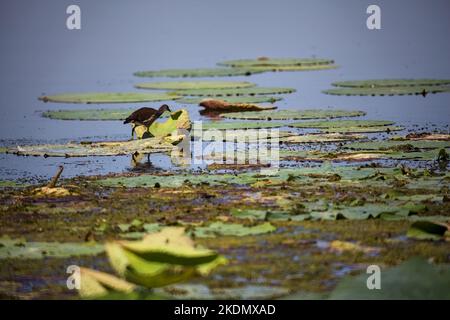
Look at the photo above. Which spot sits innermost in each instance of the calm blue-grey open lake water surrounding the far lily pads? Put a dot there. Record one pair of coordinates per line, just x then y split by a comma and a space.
40, 56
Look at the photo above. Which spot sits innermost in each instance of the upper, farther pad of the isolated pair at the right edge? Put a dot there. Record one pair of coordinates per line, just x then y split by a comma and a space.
391, 83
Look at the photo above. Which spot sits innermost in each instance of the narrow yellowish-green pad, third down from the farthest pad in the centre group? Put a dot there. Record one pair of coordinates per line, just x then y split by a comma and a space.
189, 85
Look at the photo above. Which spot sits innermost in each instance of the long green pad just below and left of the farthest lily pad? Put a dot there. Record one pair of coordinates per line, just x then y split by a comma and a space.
192, 73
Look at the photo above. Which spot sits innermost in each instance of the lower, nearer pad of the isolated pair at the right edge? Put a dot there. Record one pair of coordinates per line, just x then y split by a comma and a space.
387, 91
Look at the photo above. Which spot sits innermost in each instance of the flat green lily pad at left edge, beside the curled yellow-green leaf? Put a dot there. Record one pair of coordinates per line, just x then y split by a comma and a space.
21, 249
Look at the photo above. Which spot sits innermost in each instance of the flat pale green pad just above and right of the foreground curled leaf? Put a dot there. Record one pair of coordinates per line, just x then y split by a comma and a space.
232, 229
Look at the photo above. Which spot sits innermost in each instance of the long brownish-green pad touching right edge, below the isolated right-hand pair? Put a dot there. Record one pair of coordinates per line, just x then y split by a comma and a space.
398, 145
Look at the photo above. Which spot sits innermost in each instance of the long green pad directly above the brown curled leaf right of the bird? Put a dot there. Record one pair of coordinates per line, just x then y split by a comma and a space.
234, 92
